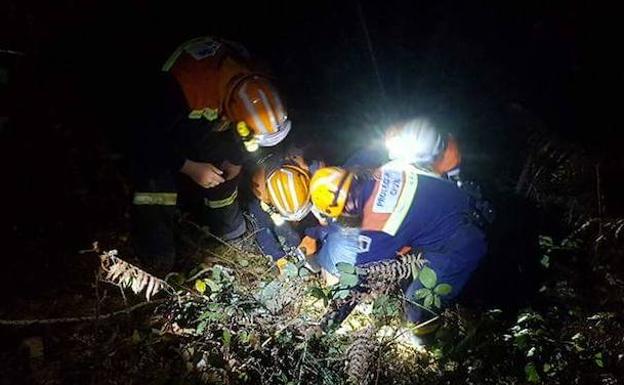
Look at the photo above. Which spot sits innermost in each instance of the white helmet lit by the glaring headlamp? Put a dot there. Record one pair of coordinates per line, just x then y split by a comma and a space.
415, 141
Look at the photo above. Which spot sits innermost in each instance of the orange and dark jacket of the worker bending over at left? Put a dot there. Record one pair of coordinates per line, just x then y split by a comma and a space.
183, 109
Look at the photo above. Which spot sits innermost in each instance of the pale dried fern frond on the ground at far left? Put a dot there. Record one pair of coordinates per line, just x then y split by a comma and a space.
125, 275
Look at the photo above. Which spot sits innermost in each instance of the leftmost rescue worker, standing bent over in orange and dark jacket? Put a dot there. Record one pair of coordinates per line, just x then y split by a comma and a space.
209, 109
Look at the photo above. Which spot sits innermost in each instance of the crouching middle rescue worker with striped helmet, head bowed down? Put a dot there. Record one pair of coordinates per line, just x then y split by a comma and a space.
282, 207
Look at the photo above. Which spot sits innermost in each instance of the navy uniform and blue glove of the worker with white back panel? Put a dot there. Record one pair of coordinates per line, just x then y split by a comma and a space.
403, 206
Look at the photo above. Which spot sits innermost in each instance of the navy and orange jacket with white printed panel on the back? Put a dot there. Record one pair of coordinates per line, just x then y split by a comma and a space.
405, 206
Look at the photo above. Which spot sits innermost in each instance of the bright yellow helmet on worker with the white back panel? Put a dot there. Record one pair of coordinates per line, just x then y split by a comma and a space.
329, 188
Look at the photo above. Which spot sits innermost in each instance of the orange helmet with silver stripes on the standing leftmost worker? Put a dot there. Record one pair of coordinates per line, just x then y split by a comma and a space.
254, 105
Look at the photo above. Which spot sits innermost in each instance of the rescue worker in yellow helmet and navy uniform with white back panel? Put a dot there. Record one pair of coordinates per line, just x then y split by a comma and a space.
399, 206
